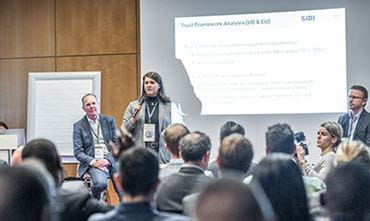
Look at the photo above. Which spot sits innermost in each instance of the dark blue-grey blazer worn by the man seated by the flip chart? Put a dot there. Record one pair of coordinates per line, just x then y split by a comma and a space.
83, 142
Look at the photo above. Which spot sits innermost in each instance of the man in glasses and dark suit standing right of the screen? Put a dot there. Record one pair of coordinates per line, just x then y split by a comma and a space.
356, 123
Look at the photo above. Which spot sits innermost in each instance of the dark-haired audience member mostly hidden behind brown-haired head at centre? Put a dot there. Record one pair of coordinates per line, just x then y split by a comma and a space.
228, 128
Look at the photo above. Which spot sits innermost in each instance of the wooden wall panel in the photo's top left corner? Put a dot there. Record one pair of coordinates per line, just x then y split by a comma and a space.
27, 28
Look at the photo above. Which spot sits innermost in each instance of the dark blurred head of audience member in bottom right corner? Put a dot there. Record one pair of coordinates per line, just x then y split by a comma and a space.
348, 195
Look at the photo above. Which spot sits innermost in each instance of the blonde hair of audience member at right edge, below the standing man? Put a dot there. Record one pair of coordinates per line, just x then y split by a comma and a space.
353, 151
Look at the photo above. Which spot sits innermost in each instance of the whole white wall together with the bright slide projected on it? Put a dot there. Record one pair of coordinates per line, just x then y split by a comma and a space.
257, 62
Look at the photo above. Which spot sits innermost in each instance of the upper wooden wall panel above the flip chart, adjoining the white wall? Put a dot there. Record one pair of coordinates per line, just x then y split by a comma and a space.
95, 27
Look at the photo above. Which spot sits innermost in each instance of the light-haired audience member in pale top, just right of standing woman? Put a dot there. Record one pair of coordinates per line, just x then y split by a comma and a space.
172, 135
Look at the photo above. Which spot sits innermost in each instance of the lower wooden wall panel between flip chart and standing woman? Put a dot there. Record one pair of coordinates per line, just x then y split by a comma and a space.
119, 77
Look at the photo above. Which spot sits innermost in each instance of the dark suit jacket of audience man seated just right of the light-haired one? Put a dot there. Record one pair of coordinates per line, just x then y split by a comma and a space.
176, 186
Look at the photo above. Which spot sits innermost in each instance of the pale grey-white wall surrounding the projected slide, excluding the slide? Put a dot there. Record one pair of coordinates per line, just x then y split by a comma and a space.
158, 54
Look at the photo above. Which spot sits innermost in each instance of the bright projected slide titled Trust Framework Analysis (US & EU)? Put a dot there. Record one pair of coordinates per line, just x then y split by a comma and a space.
265, 63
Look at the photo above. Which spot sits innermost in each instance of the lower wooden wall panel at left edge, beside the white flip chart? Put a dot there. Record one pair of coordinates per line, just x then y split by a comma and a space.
13, 87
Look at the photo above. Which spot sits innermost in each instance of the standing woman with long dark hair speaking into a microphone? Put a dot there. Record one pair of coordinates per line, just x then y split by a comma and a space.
146, 117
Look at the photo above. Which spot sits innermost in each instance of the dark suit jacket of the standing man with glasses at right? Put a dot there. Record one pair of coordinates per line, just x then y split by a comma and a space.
362, 130
